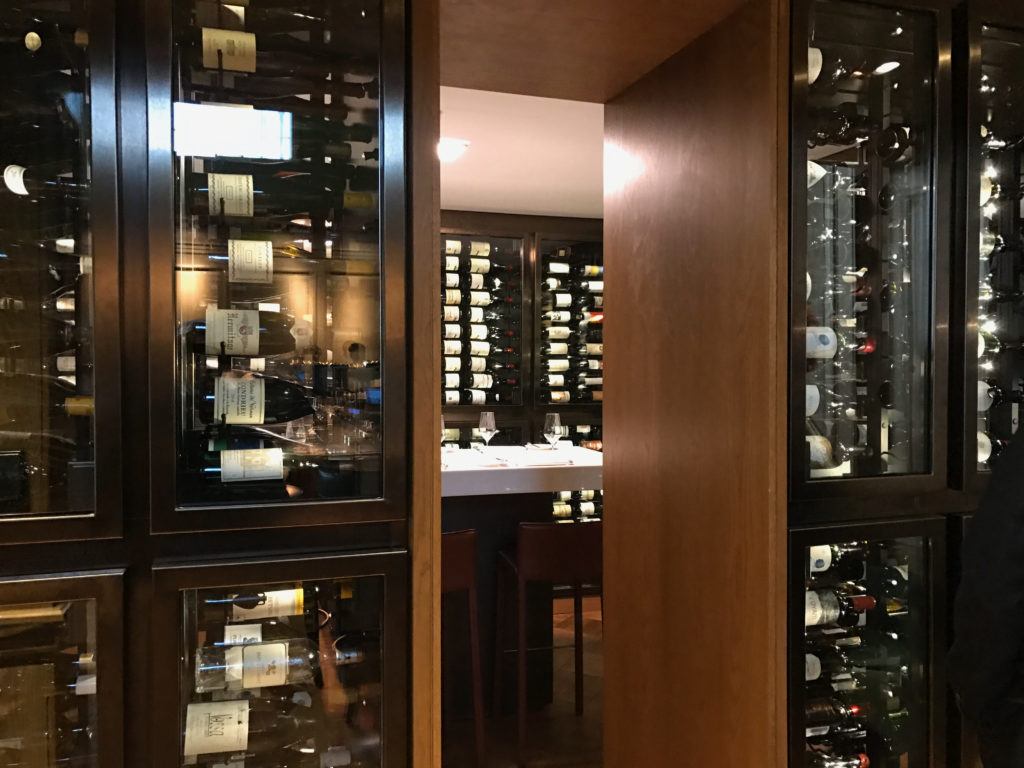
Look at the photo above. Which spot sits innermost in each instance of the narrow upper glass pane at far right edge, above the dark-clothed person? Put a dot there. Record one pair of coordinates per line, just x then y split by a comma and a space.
998, 140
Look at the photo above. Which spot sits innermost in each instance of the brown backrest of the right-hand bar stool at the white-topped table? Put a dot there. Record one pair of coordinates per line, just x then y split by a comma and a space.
562, 553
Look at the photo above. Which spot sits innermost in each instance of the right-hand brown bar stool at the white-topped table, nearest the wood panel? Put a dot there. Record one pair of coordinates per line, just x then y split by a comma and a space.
560, 553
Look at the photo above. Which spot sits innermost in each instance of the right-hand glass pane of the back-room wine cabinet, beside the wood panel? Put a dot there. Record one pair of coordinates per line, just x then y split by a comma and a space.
571, 353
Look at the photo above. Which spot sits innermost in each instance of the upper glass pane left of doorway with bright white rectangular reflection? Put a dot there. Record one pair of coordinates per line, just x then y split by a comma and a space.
277, 140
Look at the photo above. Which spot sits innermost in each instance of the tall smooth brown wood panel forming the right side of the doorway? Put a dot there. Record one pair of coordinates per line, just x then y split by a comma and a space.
695, 415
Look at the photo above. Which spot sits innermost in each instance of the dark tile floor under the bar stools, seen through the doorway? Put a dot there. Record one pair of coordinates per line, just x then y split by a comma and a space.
558, 739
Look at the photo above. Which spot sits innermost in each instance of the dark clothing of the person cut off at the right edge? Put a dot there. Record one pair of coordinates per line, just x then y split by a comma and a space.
986, 665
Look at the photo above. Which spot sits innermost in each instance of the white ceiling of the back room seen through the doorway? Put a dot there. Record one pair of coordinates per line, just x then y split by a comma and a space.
528, 155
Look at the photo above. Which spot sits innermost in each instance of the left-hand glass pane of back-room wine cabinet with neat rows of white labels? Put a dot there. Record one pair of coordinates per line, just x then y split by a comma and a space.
482, 329
